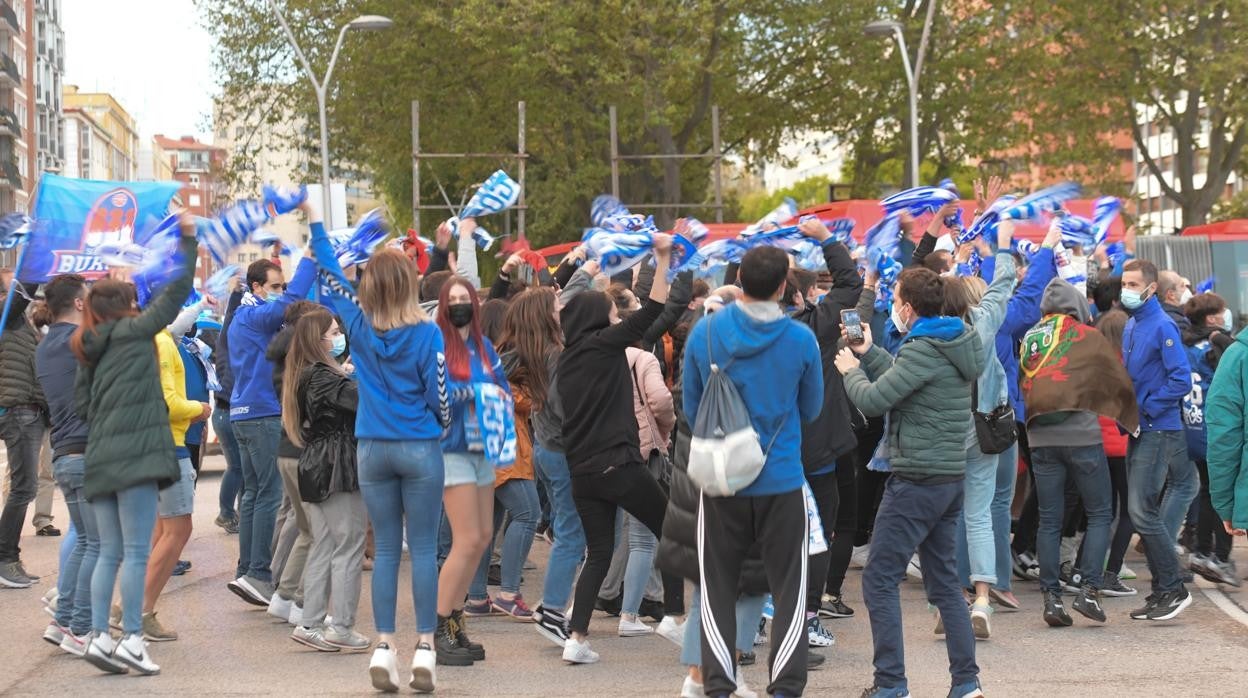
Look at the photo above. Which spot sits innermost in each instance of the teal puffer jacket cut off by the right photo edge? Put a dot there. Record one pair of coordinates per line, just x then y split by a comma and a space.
1226, 419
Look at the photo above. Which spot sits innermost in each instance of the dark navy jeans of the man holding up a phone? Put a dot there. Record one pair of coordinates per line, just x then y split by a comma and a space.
925, 518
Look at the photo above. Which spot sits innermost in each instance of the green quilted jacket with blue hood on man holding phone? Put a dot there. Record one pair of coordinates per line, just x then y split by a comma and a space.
927, 393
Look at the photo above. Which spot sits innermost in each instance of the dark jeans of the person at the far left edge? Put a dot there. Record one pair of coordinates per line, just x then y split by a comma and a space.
23, 433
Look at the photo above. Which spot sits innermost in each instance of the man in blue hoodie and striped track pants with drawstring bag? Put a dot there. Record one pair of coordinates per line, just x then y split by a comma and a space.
752, 378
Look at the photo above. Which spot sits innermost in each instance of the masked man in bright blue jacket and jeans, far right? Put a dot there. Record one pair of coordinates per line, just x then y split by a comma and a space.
1158, 458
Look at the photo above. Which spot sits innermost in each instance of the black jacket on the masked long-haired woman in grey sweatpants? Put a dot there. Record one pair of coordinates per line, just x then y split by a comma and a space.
328, 464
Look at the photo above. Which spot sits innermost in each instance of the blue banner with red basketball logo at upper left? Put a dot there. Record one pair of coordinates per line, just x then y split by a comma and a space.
74, 218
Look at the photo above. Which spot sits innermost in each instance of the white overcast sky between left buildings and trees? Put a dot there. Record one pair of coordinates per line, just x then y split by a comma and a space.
152, 56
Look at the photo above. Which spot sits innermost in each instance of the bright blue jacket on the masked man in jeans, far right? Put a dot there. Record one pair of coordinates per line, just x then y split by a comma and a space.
1159, 368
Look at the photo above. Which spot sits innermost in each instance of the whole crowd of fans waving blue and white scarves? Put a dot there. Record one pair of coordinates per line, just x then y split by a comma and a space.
412, 413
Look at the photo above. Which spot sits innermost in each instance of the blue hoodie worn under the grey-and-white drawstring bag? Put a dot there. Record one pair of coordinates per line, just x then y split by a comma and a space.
776, 366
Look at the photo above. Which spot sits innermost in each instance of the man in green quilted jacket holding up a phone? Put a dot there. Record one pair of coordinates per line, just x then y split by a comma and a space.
927, 393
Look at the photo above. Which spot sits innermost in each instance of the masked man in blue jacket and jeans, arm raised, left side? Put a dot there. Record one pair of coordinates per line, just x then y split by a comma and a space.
255, 415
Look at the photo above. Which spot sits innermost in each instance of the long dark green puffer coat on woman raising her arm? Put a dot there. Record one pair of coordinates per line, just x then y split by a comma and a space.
120, 398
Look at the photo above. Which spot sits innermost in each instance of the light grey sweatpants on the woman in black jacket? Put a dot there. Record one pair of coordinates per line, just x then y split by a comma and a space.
335, 564
